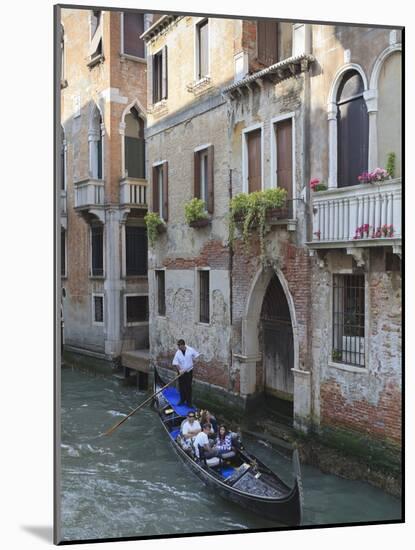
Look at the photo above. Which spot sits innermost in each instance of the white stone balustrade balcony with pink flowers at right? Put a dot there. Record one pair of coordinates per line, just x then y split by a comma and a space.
364, 215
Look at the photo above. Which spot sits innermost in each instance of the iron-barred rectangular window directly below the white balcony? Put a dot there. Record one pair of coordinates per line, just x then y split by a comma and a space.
349, 319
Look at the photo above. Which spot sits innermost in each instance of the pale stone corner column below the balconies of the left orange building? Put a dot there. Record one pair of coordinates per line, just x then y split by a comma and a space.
112, 284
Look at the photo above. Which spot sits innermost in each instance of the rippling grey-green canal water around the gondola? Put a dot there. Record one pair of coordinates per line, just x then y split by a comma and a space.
131, 483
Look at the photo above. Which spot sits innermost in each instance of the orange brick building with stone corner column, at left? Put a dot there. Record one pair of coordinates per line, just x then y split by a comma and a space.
103, 181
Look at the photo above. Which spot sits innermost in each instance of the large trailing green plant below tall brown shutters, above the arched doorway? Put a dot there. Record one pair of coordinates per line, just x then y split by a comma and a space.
253, 210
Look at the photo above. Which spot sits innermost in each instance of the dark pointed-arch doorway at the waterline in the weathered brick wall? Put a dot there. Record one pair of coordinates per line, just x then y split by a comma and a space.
277, 343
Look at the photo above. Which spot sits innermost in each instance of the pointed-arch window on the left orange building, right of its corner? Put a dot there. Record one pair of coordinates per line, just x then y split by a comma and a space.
134, 145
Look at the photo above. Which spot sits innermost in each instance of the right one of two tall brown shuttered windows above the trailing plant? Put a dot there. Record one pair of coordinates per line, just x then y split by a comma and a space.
283, 137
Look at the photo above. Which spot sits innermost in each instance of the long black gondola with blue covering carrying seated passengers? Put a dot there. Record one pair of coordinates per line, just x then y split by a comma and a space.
239, 476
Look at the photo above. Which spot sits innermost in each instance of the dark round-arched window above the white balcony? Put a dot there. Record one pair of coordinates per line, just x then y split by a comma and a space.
352, 130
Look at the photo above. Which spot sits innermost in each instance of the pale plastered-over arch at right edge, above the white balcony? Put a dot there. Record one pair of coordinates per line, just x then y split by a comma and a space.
389, 126
